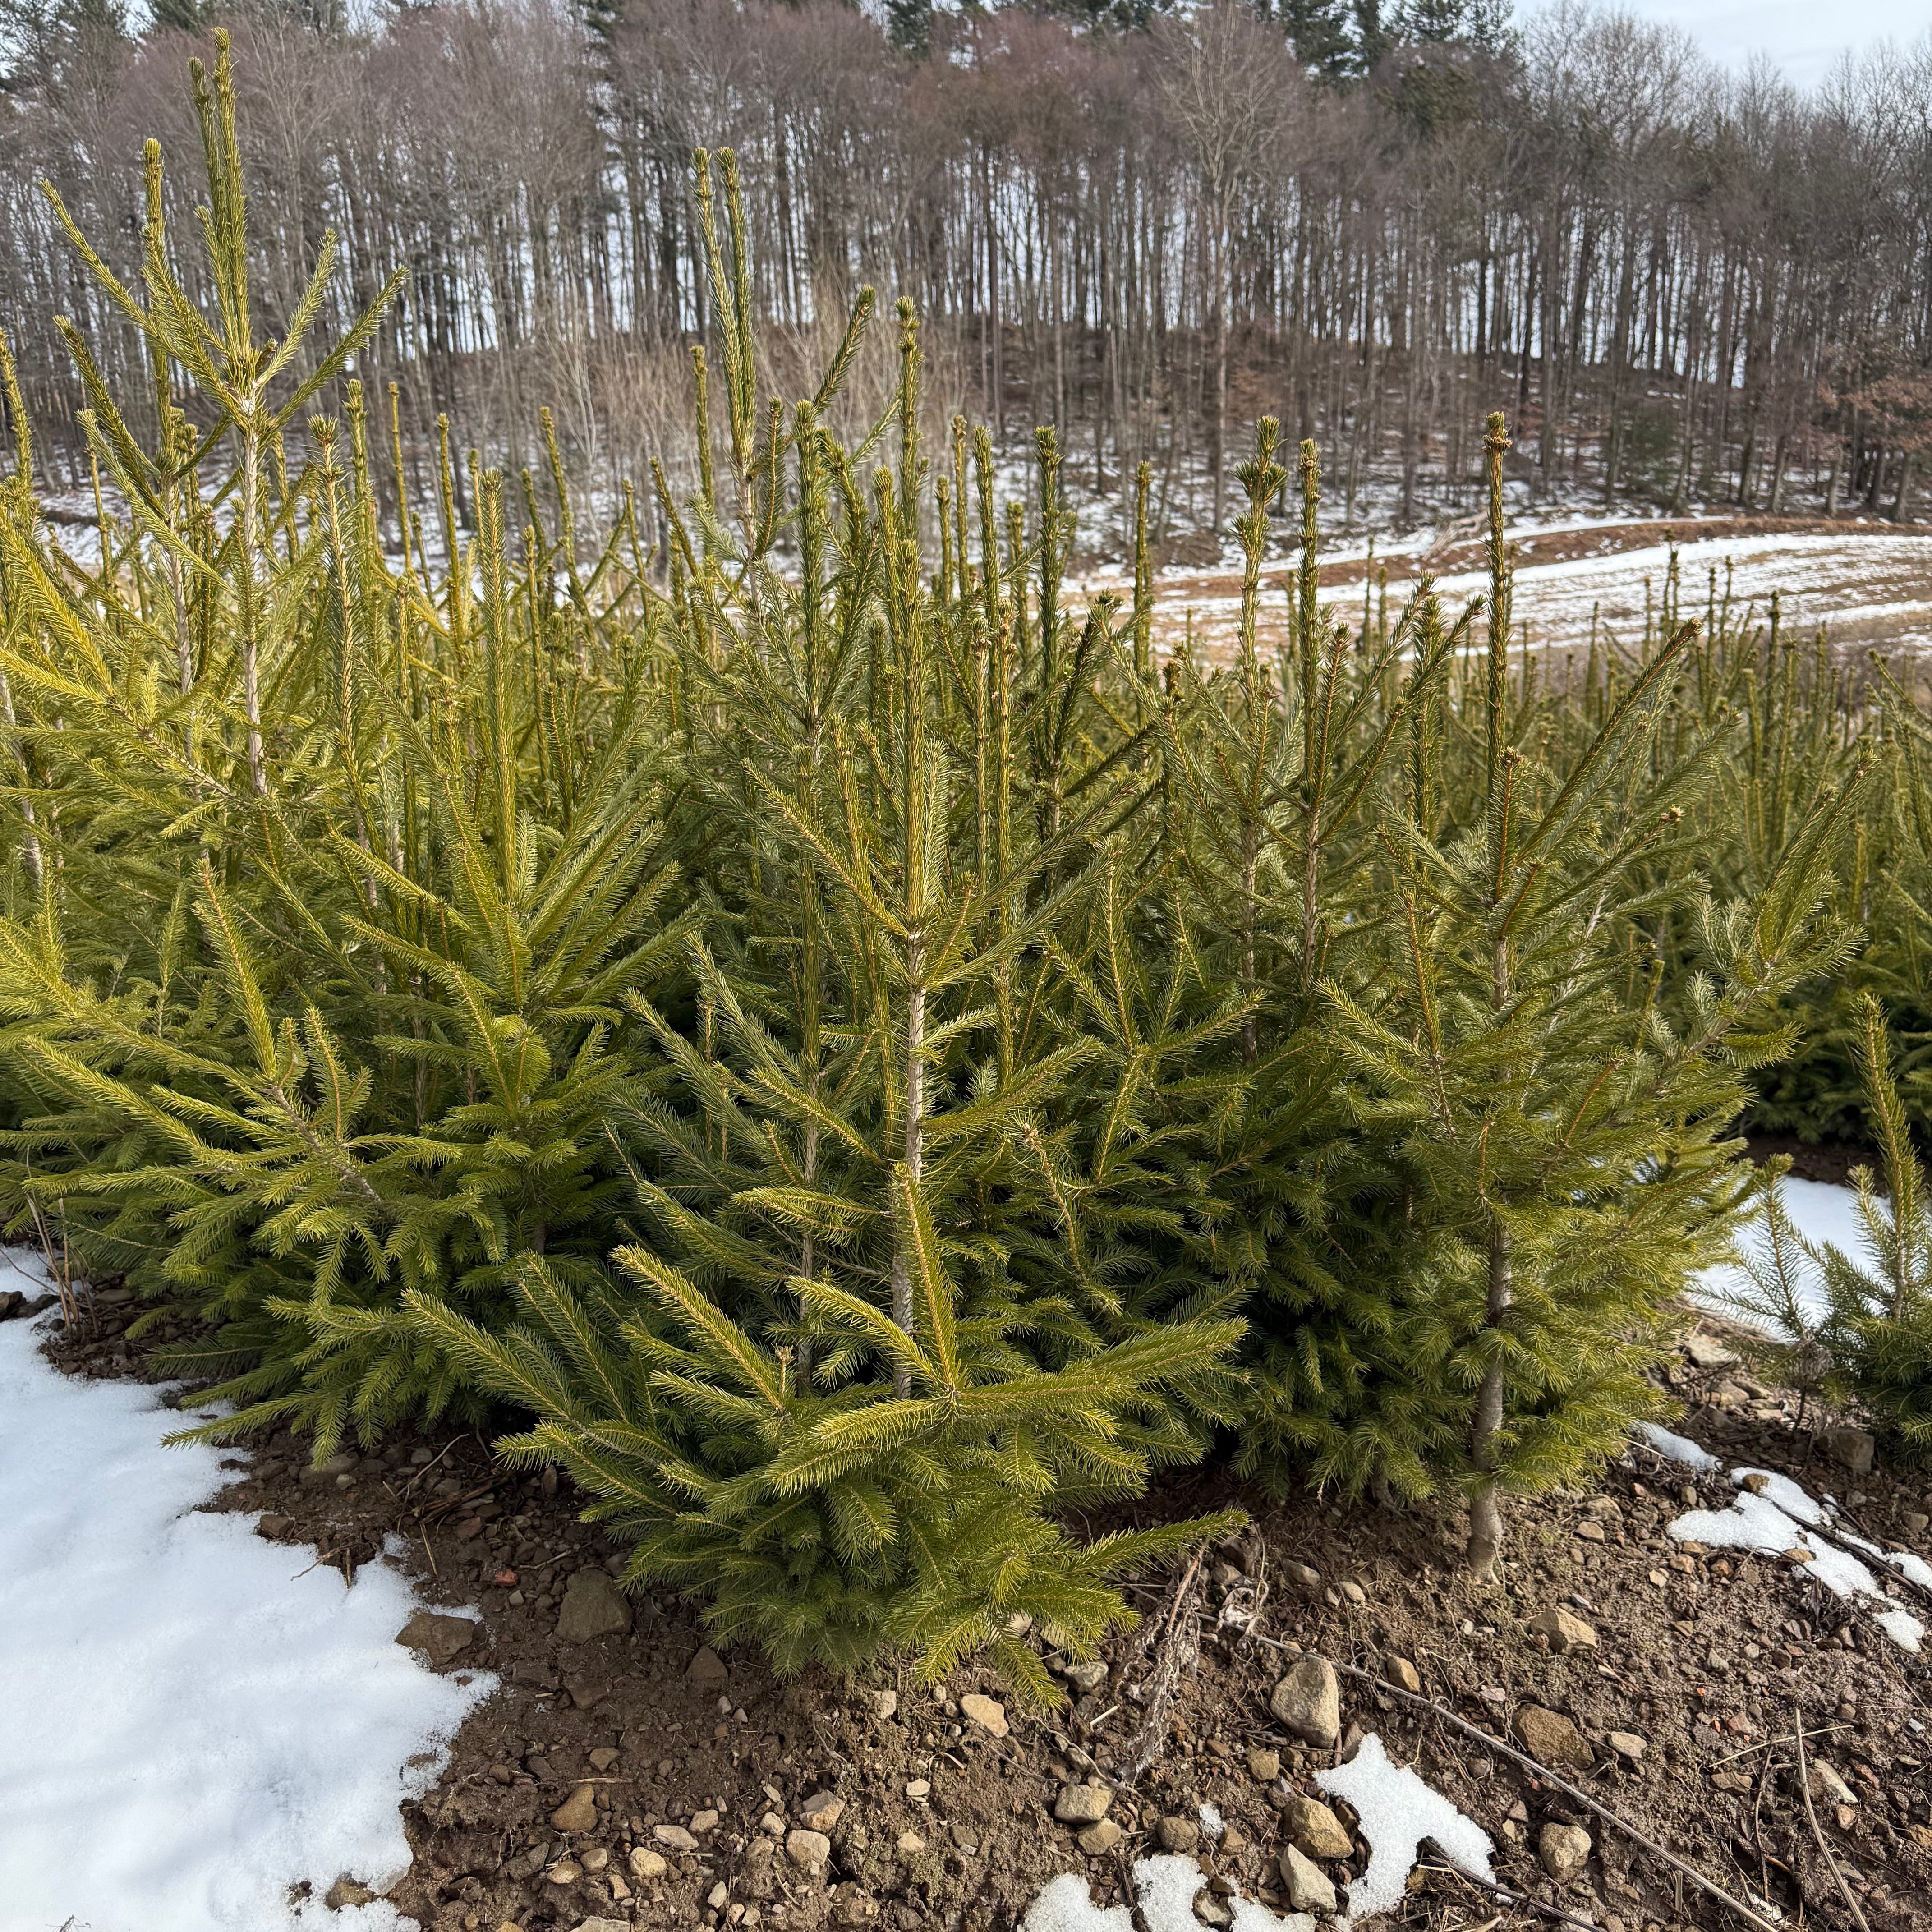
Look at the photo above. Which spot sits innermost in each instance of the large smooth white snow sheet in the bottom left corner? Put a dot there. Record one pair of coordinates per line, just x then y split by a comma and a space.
190, 1726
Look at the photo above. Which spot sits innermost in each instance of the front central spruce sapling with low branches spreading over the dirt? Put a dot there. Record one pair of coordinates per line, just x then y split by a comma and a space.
818, 1398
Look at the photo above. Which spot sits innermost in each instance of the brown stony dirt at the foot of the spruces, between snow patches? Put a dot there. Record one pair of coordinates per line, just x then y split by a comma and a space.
1707, 1659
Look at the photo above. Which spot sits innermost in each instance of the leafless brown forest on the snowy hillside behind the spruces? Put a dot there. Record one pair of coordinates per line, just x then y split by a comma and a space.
1147, 227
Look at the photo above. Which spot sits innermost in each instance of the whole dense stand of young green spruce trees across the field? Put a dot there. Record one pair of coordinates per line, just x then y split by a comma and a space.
753, 994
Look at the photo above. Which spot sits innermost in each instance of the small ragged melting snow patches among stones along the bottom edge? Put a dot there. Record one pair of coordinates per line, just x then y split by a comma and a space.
1398, 1813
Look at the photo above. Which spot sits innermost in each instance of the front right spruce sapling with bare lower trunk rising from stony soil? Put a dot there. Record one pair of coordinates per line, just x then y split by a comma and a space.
1566, 1143
